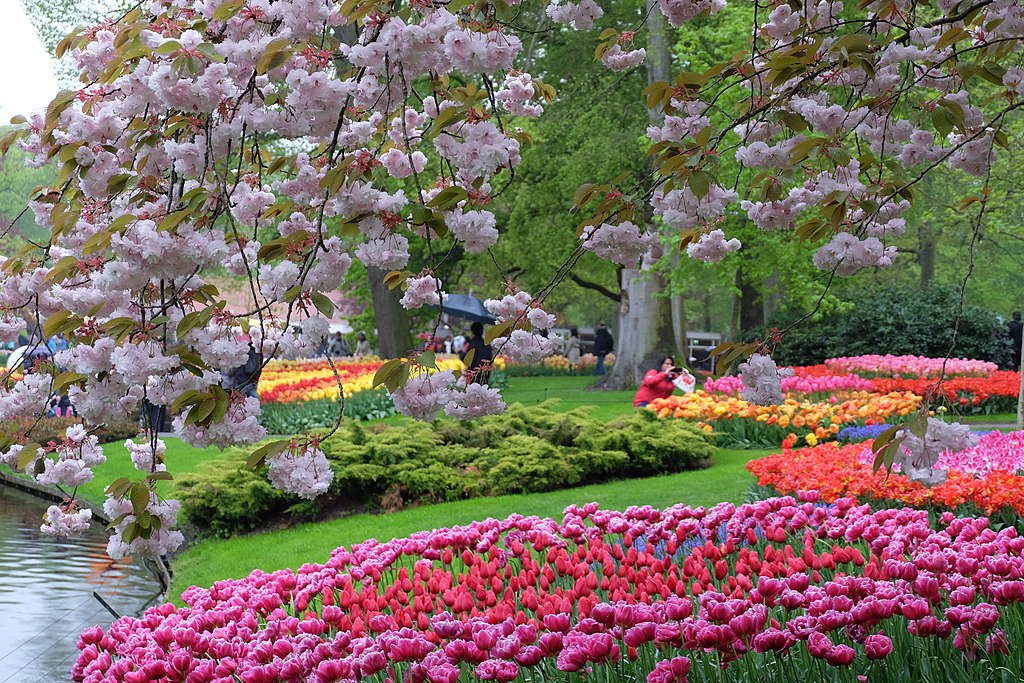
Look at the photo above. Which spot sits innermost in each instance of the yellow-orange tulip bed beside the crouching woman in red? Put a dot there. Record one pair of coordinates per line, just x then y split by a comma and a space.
745, 424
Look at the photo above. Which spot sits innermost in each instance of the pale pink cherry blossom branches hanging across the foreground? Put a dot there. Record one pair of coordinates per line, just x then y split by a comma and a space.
283, 140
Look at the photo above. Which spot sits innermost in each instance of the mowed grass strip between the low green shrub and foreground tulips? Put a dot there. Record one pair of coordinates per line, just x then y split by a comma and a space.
209, 562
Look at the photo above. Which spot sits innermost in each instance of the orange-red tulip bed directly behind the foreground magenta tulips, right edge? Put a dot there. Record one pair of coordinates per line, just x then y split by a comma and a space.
836, 472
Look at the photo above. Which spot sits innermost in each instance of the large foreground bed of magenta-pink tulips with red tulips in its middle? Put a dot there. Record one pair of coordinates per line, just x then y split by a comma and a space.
773, 591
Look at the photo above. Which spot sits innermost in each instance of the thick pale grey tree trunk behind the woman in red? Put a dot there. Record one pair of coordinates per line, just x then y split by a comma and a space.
647, 329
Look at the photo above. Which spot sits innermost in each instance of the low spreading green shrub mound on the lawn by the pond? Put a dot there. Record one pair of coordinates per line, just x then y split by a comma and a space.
391, 466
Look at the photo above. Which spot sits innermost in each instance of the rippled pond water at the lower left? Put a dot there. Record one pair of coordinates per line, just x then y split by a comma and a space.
47, 590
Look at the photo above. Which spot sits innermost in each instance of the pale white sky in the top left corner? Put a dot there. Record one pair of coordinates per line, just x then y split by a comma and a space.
27, 80
